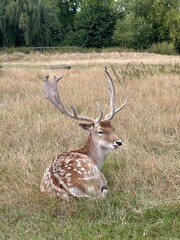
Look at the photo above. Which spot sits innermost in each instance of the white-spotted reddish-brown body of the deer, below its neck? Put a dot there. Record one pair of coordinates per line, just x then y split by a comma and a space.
73, 174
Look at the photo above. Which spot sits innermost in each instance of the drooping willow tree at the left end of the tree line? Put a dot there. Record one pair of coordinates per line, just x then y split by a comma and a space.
28, 22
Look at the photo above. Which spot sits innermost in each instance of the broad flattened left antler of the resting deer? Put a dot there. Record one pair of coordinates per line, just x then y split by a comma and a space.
52, 95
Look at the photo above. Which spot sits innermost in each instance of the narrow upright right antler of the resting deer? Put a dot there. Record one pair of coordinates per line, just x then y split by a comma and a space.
113, 111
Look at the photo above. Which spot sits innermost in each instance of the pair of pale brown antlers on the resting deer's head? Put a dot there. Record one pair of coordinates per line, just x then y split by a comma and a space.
52, 95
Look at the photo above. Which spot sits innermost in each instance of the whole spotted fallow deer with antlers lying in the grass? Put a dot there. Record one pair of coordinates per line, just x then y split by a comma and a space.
78, 173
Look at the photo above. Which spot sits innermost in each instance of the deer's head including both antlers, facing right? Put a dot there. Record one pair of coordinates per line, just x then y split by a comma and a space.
101, 130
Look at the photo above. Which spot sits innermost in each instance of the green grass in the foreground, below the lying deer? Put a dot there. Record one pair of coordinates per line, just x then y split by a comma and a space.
114, 218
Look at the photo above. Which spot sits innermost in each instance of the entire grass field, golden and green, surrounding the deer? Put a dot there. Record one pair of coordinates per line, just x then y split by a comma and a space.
143, 175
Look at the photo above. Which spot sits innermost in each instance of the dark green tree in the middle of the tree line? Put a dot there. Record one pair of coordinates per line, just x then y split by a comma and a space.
93, 25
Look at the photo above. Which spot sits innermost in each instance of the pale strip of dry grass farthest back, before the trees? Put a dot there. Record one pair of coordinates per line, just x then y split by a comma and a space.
87, 59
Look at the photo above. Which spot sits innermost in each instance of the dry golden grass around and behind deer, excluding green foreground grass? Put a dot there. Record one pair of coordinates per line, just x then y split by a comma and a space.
33, 131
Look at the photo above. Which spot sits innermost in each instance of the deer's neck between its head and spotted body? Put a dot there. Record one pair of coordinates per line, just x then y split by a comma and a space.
97, 153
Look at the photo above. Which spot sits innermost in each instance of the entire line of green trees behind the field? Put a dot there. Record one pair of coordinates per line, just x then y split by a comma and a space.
135, 24
